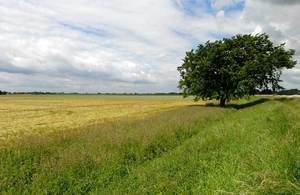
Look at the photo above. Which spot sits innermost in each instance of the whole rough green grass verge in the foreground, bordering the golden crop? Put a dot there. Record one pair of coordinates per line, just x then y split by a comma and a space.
195, 149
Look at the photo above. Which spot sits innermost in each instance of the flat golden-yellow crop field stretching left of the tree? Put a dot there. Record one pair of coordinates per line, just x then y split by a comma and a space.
37, 114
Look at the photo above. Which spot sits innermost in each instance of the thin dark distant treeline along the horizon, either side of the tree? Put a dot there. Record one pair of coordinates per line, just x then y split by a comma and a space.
263, 92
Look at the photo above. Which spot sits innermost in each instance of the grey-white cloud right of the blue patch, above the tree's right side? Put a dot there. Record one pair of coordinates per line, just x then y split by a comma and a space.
280, 20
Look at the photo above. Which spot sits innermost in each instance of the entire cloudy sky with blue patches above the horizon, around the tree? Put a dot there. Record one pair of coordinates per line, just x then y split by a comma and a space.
127, 45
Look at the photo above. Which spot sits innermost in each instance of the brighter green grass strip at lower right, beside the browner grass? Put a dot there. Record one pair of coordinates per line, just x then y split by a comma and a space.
253, 151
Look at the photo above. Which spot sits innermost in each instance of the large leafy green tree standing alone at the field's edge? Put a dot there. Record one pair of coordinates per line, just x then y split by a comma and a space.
234, 67
